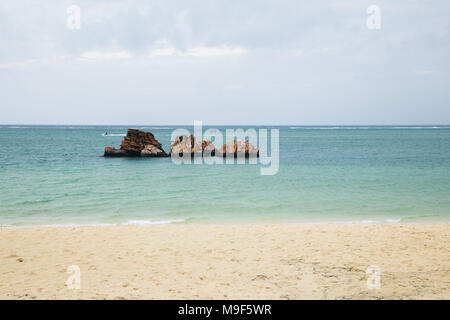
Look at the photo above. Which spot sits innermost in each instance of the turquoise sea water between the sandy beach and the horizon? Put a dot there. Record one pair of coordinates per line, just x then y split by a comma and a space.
57, 175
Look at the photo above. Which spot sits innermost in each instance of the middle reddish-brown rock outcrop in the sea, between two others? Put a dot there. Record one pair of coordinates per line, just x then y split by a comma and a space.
186, 145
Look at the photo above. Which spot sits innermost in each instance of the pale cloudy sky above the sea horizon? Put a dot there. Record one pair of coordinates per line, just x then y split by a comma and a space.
222, 62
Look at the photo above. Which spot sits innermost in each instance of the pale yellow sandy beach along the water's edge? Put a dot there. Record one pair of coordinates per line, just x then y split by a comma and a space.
231, 262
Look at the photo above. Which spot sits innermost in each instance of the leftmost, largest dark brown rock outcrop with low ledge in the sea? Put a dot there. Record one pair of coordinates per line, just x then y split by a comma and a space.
137, 144
